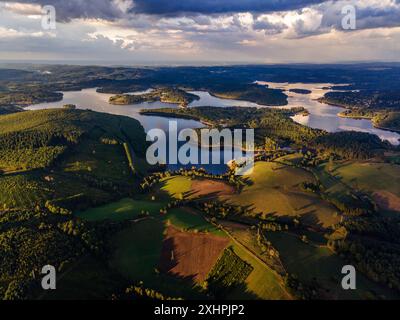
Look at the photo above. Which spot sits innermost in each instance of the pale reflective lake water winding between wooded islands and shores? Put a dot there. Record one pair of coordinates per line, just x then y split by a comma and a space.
321, 116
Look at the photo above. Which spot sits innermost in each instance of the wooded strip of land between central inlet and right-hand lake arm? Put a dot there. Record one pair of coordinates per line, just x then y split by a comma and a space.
277, 124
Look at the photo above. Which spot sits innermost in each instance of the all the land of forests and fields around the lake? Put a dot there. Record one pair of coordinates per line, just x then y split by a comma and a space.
76, 192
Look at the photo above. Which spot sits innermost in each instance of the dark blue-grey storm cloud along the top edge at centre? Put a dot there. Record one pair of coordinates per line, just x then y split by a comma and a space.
179, 7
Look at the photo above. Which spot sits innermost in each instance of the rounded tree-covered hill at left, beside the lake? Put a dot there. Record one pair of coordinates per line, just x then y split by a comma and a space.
57, 154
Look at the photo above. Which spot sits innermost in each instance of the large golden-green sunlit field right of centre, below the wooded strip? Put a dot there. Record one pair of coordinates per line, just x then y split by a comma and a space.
275, 189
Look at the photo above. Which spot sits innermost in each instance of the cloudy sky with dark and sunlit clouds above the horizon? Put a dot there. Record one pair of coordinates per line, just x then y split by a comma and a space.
207, 31
